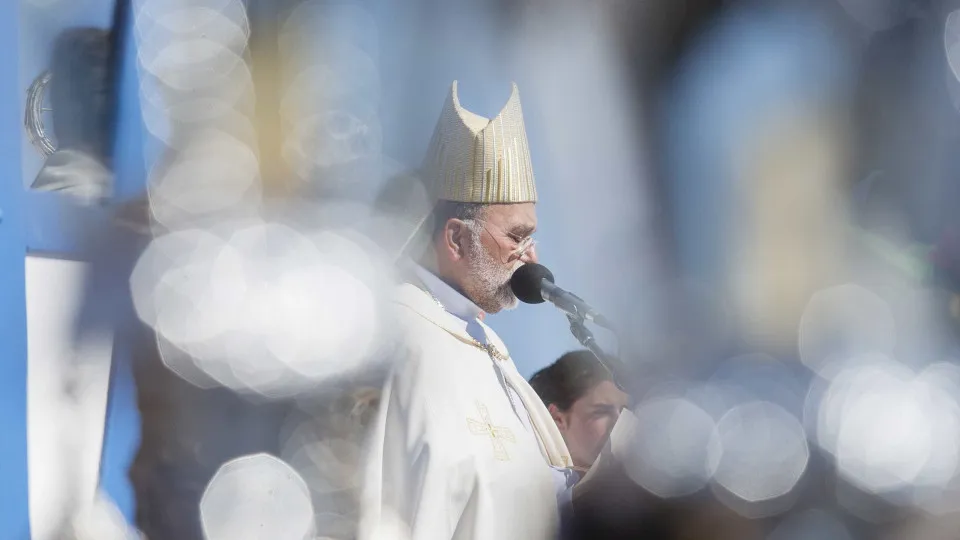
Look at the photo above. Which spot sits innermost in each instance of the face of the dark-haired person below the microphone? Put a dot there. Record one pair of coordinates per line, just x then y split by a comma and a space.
586, 425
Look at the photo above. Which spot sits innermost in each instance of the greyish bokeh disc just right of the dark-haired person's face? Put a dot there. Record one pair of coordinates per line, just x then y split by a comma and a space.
674, 453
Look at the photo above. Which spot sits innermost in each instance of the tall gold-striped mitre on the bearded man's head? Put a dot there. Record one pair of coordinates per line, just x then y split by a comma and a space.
478, 160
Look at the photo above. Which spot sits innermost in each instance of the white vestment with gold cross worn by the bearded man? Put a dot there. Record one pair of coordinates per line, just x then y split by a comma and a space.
450, 455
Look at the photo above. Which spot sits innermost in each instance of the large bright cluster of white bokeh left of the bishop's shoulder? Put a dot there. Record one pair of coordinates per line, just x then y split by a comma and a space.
260, 306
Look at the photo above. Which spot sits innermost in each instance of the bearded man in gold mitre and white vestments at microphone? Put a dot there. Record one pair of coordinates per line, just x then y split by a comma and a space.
462, 447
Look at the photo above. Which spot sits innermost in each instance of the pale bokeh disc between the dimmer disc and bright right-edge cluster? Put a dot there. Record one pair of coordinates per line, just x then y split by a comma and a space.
763, 453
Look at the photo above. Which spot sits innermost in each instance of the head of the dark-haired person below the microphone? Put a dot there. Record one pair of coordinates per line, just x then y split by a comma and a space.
583, 401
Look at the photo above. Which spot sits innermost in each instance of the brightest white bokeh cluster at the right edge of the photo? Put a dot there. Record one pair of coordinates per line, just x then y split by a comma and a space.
890, 430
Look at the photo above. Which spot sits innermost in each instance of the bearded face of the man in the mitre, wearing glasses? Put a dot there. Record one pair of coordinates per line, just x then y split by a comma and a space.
494, 250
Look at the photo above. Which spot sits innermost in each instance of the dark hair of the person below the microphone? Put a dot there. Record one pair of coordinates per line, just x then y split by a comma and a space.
569, 378
